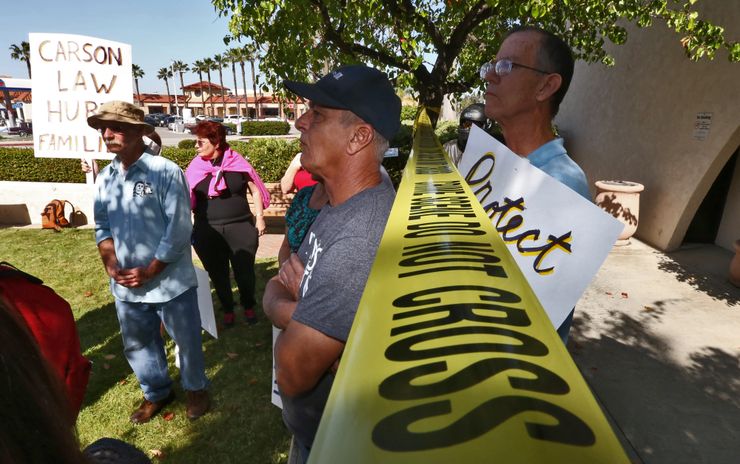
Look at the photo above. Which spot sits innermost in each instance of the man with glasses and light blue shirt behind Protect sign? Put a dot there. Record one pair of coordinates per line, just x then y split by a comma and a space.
526, 83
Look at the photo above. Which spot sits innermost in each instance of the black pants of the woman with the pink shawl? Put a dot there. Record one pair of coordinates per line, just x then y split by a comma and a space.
219, 245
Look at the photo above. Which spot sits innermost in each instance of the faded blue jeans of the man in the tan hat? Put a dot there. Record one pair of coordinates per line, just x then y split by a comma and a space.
144, 348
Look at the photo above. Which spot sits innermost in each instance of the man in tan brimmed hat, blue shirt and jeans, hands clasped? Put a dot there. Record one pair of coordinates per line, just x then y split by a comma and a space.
142, 228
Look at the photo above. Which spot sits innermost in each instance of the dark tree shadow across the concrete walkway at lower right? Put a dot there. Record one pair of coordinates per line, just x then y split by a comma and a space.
669, 412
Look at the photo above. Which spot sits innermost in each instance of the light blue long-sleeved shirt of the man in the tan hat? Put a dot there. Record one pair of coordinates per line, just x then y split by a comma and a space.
147, 214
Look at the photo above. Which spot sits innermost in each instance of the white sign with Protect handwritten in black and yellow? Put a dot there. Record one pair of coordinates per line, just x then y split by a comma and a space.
557, 238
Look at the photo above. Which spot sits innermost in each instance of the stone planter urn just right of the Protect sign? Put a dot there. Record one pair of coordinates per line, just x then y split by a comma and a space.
621, 199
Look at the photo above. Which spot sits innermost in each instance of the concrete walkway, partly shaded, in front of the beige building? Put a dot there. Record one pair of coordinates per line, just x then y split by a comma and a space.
657, 337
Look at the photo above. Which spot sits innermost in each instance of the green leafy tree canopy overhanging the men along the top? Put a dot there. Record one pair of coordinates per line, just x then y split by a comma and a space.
436, 47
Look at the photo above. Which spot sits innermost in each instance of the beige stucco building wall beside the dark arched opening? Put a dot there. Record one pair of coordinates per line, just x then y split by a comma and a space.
636, 121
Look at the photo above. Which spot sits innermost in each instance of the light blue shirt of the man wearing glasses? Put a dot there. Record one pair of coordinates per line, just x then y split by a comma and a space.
554, 160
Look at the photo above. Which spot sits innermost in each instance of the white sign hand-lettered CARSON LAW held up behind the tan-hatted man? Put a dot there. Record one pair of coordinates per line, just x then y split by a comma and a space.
72, 76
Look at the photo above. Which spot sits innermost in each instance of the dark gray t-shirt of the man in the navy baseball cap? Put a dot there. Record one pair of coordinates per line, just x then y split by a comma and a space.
338, 252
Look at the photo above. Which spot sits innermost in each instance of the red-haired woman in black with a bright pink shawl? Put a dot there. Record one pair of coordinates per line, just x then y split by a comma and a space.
225, 230
